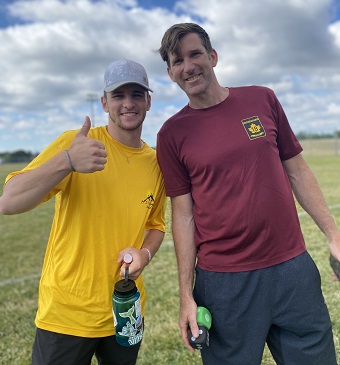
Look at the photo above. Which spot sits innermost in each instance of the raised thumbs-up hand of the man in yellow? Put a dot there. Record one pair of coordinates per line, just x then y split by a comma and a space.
87, 154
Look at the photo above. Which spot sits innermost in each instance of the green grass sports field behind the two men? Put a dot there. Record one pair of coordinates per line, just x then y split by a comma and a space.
22, 243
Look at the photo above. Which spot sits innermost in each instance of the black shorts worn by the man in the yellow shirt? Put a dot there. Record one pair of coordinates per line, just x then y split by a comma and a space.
52, 348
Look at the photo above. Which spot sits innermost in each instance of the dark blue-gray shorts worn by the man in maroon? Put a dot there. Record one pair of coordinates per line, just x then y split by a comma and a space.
282, 305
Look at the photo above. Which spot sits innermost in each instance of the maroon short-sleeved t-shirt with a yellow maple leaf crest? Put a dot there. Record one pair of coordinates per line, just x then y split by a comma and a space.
229, 157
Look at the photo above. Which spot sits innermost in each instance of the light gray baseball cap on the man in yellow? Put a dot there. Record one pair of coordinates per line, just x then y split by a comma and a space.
124, 72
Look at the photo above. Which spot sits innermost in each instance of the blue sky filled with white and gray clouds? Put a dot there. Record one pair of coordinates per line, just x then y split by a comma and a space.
53, 54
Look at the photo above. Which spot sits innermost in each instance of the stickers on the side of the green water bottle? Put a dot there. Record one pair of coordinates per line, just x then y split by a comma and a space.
132, 329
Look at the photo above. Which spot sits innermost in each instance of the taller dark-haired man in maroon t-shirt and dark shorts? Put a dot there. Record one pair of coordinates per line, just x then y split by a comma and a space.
230, 162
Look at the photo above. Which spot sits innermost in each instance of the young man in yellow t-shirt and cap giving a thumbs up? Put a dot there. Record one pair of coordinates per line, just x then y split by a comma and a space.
109, 201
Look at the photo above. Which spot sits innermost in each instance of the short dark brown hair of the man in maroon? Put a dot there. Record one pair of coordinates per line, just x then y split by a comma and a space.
171, 38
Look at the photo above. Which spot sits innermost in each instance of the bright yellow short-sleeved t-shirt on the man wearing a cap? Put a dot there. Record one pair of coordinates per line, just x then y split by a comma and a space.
96, 216
